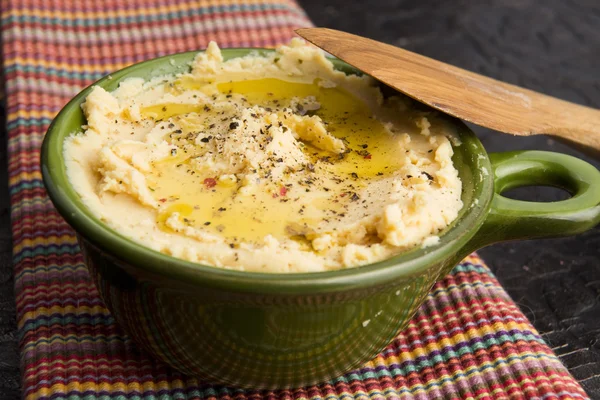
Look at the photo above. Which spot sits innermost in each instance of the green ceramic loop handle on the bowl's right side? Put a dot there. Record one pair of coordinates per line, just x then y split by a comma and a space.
510, 219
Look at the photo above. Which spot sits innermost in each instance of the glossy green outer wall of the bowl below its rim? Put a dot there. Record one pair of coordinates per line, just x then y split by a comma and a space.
250, 340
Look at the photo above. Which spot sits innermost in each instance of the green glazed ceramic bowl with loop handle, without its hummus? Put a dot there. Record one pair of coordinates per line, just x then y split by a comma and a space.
261, 330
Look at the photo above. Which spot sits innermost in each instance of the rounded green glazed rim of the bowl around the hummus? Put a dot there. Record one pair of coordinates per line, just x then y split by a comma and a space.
129, 253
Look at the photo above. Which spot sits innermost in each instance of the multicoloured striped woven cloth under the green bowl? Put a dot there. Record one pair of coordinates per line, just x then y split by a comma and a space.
469, 340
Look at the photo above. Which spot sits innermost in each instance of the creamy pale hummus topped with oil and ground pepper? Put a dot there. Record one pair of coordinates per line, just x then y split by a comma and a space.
272, 163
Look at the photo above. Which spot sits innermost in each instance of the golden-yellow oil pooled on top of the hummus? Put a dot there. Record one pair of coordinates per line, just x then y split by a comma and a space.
249, 218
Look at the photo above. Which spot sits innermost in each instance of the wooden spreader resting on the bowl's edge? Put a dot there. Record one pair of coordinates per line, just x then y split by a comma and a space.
463, 94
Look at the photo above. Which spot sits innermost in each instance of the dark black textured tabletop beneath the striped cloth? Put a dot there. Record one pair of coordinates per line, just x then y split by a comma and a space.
548, 45
